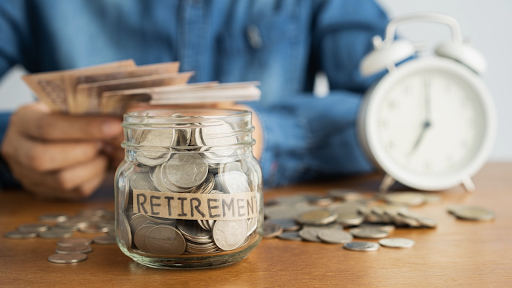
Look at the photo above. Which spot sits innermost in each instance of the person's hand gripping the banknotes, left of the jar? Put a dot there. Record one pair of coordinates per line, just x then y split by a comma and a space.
56, 155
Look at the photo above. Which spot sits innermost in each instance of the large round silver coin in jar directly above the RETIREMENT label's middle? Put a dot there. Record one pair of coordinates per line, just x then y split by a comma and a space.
186, 170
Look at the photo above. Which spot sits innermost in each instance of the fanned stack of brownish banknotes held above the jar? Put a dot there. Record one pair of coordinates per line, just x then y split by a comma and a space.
112, 88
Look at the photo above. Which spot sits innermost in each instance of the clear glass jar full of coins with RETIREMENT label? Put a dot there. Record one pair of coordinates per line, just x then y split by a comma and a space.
189, 191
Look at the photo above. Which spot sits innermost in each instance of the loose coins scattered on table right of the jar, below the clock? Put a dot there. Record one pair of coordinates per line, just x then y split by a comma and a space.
322, 218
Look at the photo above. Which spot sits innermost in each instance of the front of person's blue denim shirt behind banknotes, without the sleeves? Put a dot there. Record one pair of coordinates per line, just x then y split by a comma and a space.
226, 41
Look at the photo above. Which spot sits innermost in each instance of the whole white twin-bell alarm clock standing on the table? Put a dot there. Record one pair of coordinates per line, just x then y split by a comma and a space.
430, 122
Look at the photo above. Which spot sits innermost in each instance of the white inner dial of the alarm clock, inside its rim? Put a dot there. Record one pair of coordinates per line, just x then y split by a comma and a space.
431, 122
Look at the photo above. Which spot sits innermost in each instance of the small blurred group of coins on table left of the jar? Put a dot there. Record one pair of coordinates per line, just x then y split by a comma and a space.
58, 225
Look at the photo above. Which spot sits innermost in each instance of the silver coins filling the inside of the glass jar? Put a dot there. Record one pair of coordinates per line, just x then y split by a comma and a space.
199, 172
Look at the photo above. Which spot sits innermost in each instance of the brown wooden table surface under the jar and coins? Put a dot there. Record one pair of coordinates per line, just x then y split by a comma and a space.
456, 254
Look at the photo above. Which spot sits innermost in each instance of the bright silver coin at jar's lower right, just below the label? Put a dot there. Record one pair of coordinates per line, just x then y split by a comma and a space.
229, 234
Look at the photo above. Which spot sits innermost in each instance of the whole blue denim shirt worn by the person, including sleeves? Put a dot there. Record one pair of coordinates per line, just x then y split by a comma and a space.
281, 43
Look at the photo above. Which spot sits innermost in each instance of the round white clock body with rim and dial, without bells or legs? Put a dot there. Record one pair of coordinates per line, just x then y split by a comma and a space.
429, 125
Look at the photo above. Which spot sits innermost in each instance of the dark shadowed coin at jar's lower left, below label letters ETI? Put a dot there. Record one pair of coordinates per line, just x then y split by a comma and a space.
165, 240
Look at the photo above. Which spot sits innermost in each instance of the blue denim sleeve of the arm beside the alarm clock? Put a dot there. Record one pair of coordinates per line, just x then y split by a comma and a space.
307, 137
